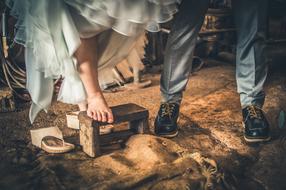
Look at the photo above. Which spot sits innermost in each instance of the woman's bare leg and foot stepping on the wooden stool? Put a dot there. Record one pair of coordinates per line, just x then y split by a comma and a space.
86, 56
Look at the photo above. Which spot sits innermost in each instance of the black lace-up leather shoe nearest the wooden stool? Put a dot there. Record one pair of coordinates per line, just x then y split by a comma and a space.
166, 120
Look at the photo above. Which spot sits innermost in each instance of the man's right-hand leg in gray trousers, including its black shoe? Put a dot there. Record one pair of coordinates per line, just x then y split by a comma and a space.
251, 70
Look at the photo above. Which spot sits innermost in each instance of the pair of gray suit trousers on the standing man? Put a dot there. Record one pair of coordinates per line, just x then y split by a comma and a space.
251, 67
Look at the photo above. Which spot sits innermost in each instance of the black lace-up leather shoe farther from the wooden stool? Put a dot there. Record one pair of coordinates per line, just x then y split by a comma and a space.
256, 126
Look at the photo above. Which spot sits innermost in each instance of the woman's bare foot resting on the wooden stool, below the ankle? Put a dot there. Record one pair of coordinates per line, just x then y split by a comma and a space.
98, 109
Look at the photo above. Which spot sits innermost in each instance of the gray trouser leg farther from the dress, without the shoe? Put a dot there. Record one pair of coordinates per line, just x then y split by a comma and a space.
251, 22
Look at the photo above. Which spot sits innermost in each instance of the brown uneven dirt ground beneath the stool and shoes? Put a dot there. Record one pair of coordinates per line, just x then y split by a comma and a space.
210, 130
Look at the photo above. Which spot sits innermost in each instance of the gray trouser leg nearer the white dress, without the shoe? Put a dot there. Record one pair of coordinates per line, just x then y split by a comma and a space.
180, 47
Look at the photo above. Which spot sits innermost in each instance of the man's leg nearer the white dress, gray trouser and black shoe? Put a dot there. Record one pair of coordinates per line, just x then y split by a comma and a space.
178, 63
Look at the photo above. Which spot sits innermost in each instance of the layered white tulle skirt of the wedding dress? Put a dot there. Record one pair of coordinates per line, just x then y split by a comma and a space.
51, 31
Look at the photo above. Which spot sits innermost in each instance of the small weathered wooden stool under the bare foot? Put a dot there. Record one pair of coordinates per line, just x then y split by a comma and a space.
90, 139
